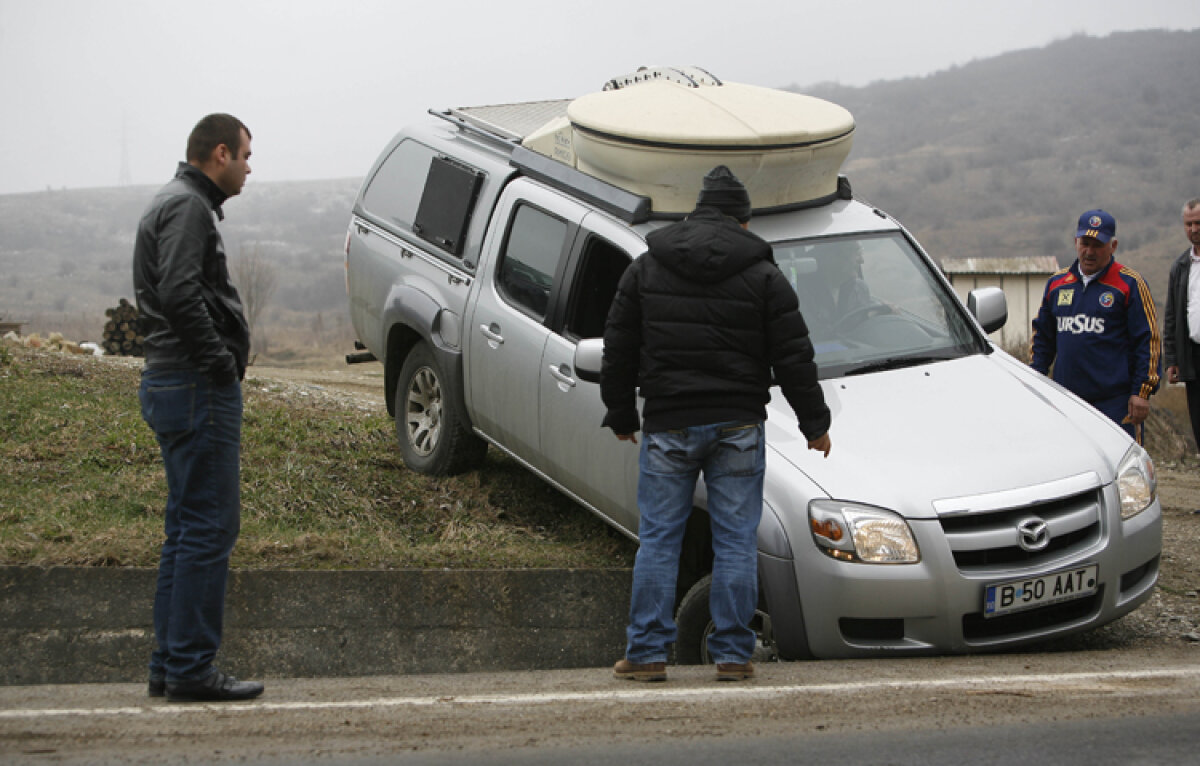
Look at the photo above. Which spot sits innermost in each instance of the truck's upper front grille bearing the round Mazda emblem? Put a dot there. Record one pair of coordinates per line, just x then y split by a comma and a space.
987, 541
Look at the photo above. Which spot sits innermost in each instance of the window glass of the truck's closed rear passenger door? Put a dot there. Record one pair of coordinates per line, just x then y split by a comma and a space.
531, 259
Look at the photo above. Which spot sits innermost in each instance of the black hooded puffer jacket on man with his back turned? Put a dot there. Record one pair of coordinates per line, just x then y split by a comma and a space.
700, 322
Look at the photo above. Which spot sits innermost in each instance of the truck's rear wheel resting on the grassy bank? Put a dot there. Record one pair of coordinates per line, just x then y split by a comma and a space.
434, 434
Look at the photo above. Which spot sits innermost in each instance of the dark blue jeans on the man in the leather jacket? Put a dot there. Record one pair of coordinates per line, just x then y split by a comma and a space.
199, 427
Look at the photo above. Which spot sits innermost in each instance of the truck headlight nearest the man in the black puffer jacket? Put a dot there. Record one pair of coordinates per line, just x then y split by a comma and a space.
860, 534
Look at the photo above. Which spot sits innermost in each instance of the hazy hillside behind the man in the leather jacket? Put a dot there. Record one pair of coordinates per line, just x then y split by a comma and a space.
65, 255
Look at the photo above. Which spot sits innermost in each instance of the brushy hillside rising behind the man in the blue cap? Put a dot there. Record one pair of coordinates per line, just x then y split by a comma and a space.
1000, 157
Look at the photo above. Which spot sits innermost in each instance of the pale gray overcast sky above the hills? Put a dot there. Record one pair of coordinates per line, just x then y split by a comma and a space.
87, 86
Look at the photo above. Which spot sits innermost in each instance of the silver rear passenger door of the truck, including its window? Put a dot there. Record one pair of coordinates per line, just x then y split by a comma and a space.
508, 326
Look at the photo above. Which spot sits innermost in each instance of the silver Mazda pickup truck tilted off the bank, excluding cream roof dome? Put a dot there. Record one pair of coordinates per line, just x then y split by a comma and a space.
969, 505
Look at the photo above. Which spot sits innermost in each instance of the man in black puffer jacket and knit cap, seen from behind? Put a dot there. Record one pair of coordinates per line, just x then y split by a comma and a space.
700, 322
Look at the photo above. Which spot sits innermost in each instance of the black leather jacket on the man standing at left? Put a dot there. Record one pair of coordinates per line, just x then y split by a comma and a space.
191, 314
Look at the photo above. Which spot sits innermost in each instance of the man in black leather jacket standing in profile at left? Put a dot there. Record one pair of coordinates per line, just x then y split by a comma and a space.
196, 351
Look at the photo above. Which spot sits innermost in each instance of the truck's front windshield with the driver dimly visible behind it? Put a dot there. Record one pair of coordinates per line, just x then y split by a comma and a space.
872, 303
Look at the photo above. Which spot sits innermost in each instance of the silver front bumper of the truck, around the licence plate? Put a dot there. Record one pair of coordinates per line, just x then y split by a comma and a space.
937, 606
